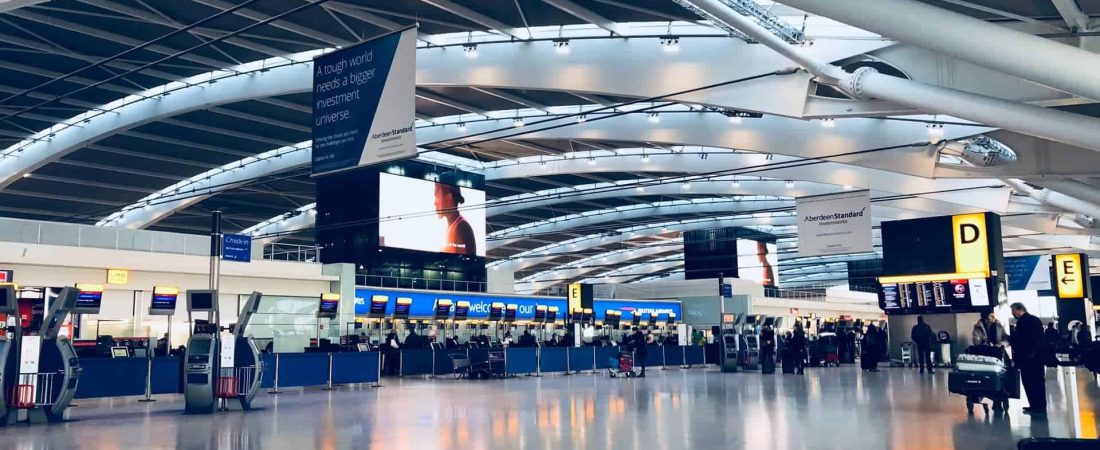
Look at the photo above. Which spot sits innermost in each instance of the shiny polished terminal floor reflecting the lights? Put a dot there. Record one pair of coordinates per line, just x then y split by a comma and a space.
829, 409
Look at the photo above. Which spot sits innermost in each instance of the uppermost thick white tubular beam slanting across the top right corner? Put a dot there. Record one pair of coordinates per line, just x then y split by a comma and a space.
1040, 60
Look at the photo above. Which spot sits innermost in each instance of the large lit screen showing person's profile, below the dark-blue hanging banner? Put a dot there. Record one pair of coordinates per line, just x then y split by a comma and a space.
432, 217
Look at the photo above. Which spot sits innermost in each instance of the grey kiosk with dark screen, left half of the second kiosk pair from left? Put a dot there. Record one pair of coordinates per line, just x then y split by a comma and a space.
202, 357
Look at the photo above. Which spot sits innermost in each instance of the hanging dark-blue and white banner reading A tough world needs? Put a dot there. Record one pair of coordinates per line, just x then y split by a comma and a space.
365, 104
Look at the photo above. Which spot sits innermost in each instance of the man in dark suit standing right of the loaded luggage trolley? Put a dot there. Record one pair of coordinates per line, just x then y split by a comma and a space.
1029, 349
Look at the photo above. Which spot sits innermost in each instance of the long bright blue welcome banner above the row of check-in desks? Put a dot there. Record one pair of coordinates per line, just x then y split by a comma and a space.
424, 304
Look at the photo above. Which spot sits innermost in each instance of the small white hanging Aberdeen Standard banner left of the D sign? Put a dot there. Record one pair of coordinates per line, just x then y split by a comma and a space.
837, 224
